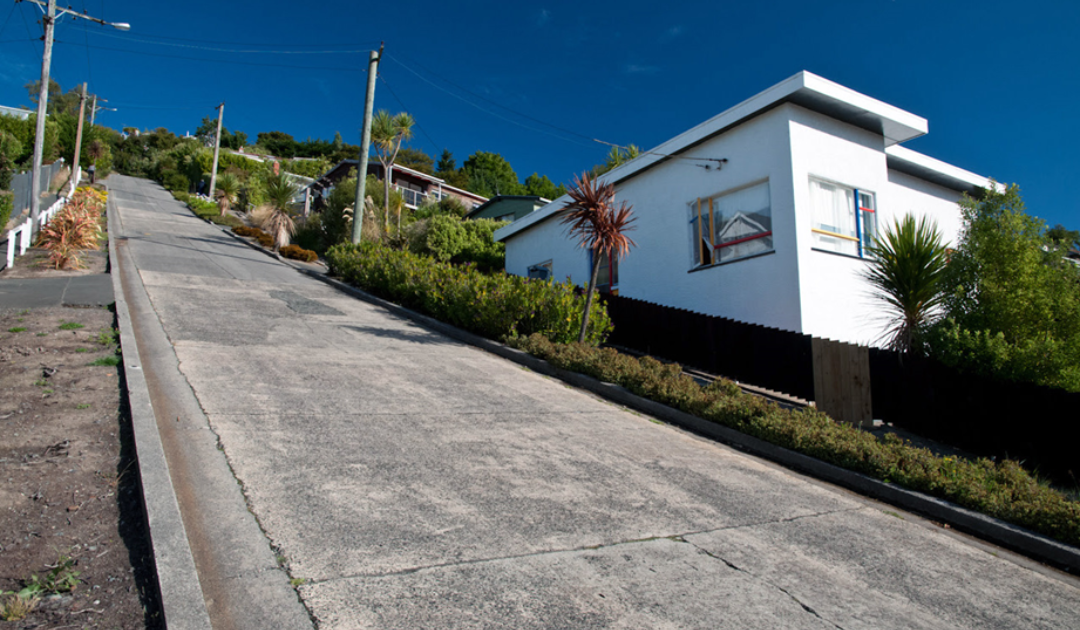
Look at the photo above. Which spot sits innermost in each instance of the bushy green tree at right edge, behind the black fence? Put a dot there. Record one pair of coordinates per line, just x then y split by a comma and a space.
1012, 303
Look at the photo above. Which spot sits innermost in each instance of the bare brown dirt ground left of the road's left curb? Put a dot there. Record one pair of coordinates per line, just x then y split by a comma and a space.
72, 518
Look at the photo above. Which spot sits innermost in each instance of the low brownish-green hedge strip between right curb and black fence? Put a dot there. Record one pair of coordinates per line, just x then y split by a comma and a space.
1000, 489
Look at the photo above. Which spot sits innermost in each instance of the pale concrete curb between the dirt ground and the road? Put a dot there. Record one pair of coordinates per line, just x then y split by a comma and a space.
182, 598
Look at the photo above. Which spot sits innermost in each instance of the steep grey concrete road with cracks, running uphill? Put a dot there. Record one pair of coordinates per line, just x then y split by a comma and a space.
411, 481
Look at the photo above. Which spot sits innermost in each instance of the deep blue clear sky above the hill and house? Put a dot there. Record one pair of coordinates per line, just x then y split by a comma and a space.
537, 82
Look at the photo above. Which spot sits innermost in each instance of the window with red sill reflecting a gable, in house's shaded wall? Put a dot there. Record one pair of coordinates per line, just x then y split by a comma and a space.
731, 226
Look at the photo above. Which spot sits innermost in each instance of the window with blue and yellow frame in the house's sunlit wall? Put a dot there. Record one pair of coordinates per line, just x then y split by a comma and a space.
845, 220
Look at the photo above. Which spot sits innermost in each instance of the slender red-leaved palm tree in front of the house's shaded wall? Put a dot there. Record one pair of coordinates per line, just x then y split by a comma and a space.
599, 226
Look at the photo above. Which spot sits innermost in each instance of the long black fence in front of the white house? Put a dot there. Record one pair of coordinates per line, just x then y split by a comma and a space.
989, 418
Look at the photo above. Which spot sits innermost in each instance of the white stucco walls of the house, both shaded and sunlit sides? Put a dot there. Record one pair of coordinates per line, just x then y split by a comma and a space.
794, 288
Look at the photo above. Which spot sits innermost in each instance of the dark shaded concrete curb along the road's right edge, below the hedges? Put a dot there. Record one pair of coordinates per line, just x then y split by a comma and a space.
995, 531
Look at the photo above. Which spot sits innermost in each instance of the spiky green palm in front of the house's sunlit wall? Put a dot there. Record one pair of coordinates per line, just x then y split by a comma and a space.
907, 273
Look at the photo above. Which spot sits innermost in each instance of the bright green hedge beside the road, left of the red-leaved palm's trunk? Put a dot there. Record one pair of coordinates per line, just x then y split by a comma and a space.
494, 306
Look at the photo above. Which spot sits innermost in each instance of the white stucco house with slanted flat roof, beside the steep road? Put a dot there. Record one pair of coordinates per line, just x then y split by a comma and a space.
763, 213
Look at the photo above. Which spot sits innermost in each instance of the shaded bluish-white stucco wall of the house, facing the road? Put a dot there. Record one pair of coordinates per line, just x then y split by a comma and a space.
763, 290
